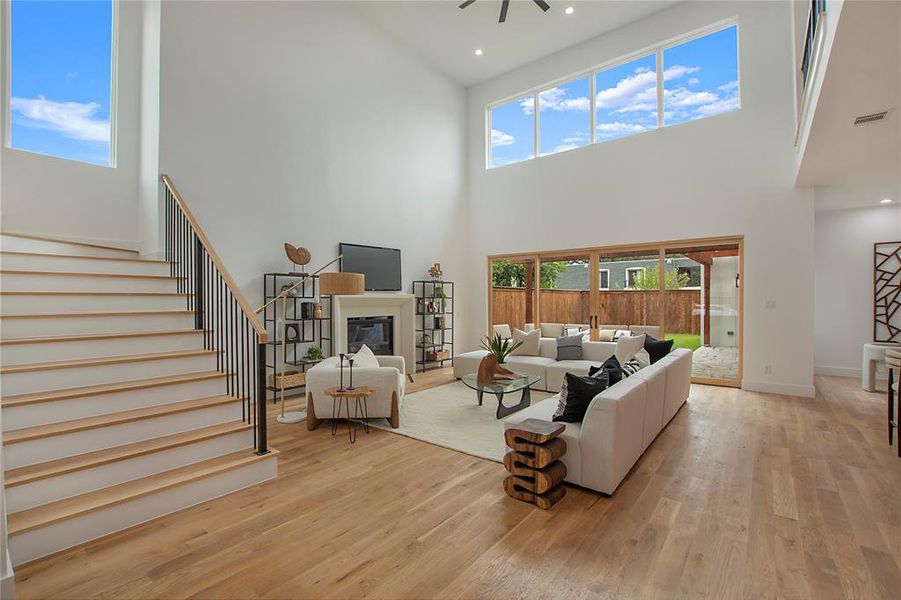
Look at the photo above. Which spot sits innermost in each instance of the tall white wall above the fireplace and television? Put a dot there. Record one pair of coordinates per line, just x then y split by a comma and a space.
300, 122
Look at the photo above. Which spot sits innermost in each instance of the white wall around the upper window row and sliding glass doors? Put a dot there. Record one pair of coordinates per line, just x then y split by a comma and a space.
727, 175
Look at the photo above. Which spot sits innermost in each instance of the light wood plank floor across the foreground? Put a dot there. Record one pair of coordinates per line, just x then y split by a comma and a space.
742, 495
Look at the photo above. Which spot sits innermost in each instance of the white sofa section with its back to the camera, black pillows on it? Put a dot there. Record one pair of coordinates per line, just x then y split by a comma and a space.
621, 422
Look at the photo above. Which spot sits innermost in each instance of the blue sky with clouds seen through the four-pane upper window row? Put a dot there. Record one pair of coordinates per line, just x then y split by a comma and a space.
700, 79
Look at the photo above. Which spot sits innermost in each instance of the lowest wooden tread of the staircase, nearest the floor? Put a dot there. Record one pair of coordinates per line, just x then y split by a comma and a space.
48, 514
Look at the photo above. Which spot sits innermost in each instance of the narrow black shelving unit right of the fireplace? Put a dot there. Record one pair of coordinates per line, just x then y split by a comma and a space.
435, 322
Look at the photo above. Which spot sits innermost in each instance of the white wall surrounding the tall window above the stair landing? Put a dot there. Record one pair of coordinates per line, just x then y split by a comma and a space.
47, 195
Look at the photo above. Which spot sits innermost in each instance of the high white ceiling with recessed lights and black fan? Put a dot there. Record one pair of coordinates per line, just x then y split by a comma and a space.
447, 36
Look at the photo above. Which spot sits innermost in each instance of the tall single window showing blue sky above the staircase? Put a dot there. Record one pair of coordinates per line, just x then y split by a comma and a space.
60, 80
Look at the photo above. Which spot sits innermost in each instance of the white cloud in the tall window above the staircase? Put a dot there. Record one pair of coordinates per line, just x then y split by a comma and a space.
74, 120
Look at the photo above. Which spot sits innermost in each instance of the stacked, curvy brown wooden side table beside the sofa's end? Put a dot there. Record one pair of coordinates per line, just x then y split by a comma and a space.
536, 473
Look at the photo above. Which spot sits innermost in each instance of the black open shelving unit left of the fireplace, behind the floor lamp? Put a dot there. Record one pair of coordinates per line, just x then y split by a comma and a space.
309, 330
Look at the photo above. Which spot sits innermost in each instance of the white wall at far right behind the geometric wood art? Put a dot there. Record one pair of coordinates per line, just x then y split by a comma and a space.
844, 282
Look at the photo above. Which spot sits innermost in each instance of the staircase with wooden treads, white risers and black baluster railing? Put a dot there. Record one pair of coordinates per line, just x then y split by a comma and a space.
129, 386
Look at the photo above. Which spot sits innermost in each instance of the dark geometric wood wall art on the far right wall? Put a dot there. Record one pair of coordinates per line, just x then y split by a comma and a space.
887, 292
